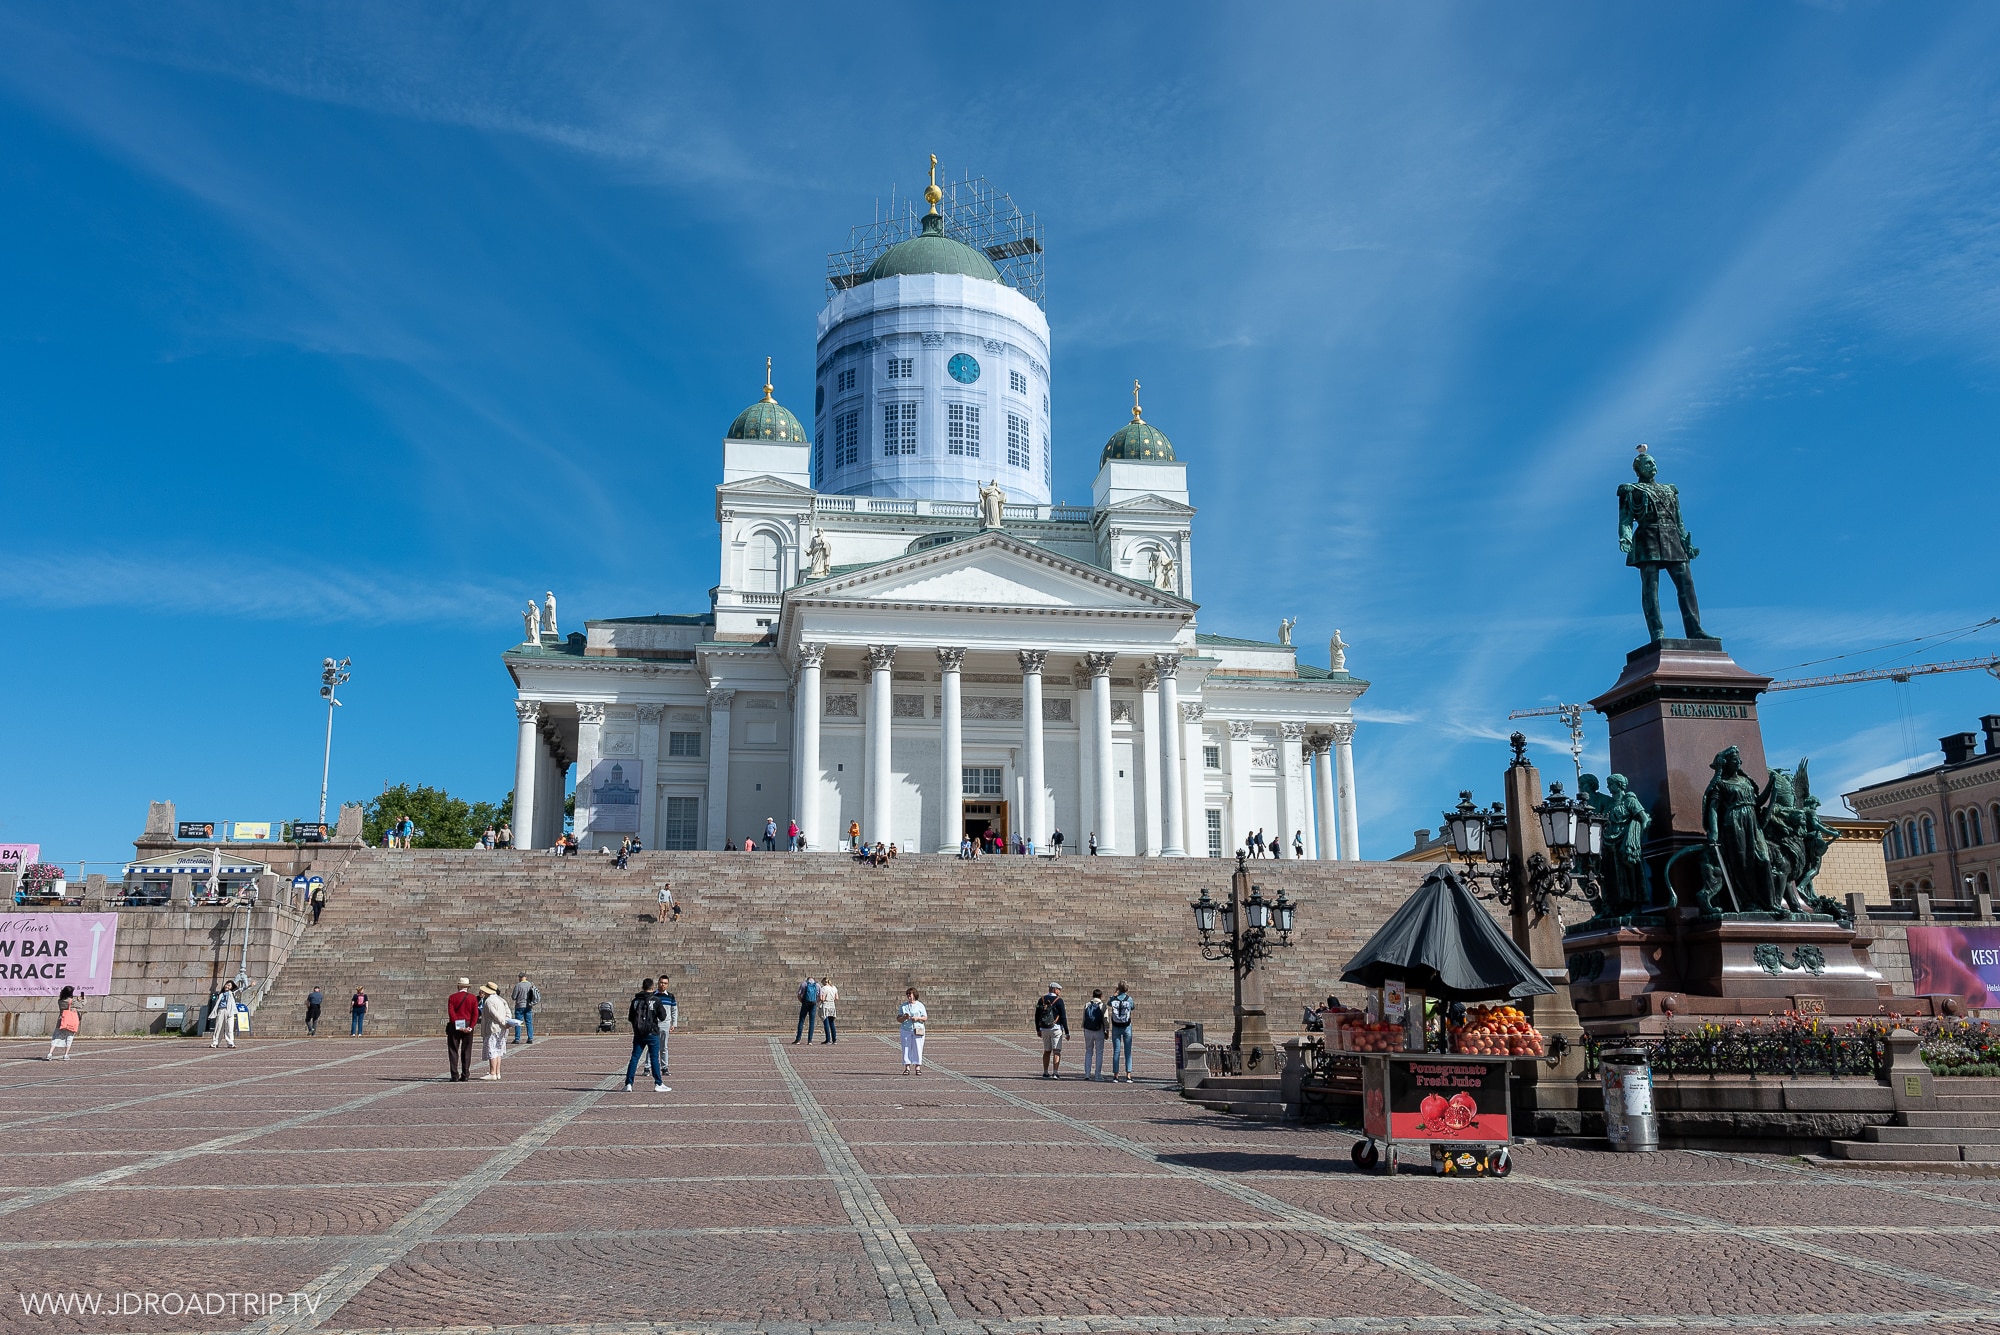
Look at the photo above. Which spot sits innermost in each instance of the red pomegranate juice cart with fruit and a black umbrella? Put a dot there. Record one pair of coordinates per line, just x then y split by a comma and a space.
1441, 944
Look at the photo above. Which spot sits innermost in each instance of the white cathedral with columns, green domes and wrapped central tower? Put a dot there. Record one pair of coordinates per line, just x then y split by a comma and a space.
907, 637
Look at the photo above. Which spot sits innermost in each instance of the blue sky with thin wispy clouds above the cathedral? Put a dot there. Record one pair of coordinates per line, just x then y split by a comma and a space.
347, 329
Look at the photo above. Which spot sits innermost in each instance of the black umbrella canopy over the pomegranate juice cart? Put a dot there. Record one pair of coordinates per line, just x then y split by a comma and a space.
1445, 944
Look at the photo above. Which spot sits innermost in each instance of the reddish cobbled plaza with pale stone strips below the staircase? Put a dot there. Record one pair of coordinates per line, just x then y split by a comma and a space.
793, 1188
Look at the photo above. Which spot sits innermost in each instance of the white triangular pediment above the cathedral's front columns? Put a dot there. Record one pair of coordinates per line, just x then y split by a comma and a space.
991, 571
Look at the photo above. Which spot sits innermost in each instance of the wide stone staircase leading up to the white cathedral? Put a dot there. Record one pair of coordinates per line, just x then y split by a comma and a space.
979, 938
